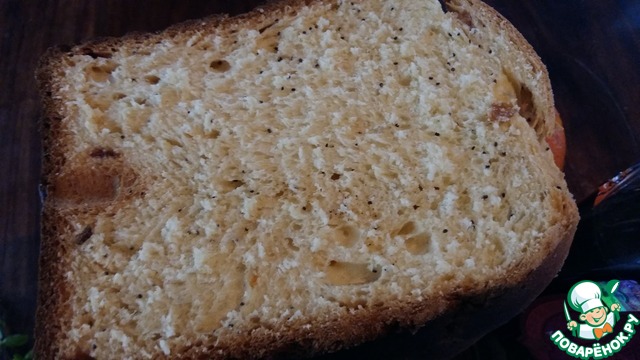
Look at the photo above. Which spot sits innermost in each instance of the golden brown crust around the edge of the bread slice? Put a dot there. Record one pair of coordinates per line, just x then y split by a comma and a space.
465, 316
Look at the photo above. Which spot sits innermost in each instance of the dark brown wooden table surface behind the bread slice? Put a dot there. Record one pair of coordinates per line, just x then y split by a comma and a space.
591, 47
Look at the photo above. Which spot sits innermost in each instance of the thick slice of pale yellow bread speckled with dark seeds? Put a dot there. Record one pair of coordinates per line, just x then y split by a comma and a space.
297, 180
